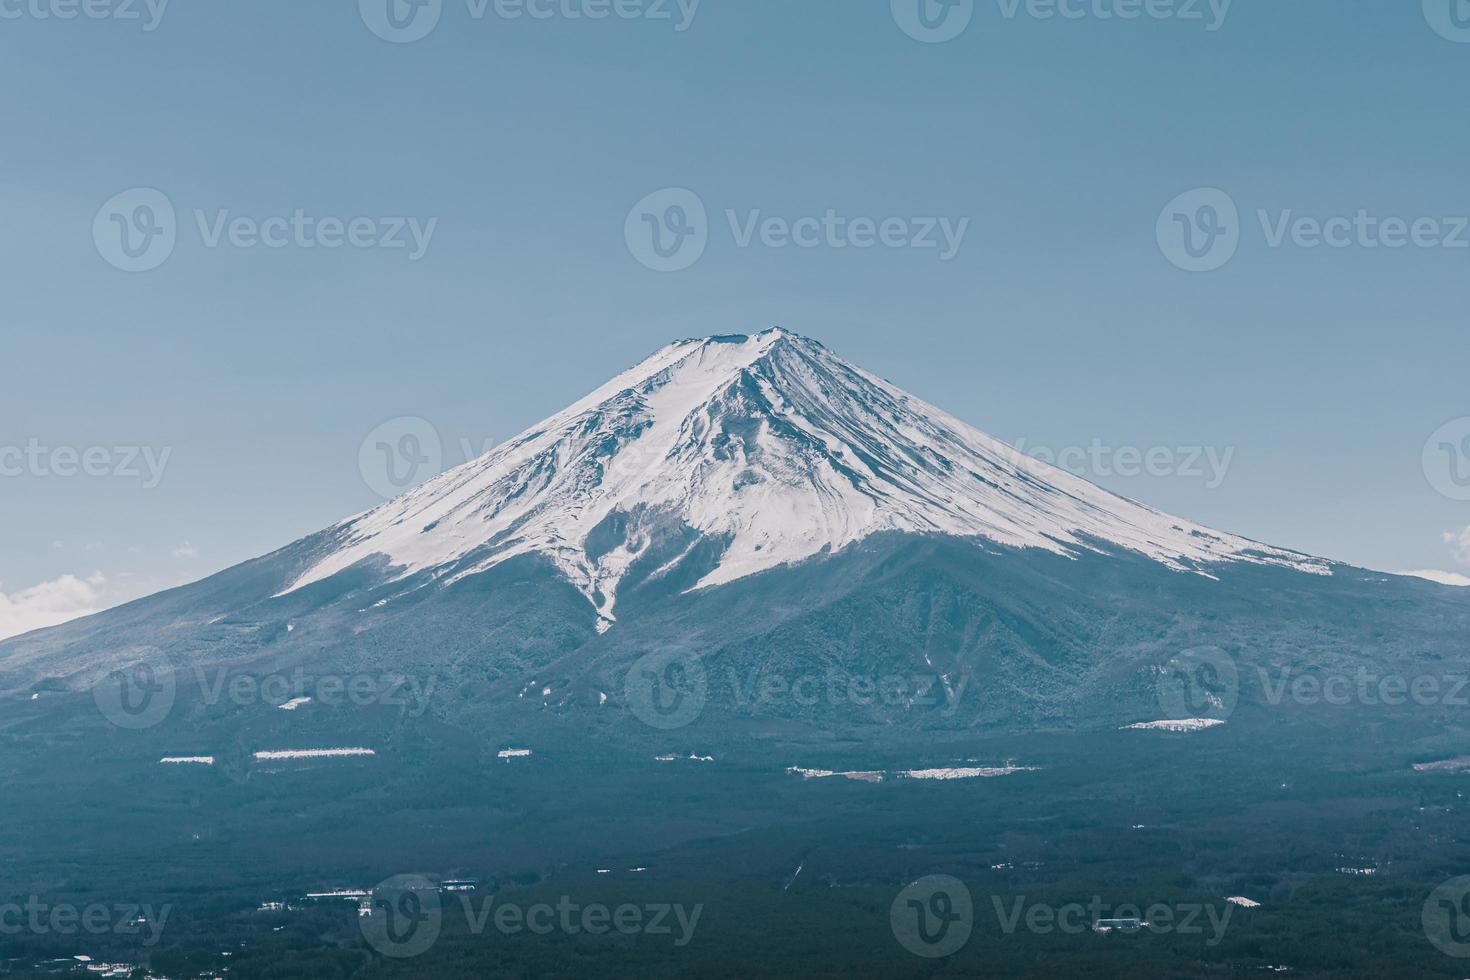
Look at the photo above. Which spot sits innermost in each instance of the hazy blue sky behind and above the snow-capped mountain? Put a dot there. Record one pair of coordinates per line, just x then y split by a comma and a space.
506, 156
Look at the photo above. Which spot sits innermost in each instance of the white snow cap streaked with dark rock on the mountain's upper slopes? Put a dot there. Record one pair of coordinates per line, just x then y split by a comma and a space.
771, 444
